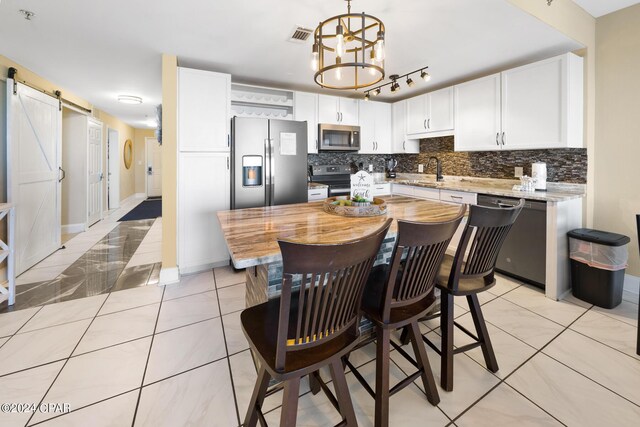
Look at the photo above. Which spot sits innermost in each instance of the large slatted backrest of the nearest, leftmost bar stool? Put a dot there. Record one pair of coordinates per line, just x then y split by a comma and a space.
331, 279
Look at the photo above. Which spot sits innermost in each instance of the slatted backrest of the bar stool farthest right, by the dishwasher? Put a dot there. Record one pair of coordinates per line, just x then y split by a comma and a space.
481, 241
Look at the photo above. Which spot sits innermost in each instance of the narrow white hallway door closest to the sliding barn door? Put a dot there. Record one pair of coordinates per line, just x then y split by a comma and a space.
94, 170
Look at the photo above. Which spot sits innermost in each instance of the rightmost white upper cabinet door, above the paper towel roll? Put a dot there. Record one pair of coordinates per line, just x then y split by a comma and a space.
534, 105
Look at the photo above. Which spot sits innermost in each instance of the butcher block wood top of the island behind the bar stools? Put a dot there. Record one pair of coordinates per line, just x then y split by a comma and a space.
252, 234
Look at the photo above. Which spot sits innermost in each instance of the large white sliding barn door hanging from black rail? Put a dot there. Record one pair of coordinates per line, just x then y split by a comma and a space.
33, 173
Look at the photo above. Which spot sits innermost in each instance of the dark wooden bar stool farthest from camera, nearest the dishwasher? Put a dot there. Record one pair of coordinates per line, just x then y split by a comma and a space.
470, 272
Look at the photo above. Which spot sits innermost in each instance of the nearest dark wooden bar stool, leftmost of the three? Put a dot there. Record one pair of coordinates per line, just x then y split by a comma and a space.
313, 323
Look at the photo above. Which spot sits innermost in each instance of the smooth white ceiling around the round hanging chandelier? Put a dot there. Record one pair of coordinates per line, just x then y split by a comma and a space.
101, 49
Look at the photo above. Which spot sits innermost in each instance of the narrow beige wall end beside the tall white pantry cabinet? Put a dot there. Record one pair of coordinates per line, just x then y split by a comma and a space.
169, 159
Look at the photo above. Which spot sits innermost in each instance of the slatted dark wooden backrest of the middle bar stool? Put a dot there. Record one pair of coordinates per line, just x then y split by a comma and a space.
416, 259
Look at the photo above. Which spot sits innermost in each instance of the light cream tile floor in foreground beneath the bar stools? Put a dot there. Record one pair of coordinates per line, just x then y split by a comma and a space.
176, 356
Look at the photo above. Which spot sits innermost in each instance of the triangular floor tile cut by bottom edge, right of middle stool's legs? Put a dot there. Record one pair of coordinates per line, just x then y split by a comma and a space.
503, 406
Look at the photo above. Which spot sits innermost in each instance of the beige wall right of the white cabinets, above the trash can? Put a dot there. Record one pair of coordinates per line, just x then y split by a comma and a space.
618, 126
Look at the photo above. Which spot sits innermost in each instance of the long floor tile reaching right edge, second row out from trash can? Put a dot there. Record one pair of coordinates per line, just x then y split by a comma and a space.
589, 357
